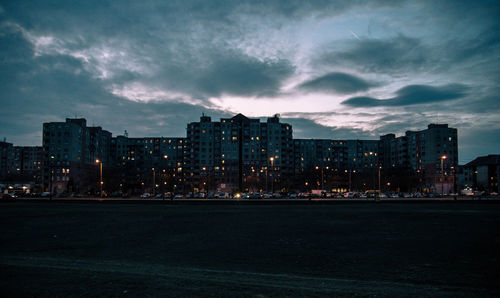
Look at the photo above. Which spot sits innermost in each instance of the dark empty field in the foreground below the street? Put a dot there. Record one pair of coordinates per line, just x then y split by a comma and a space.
346, 249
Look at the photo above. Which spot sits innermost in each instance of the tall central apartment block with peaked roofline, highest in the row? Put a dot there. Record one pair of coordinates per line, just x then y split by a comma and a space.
239, 153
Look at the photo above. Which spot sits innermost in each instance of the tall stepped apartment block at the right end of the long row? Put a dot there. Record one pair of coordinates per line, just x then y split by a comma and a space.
425, 160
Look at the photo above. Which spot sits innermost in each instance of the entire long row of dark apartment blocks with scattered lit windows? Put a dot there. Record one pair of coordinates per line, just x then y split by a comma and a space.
233, 154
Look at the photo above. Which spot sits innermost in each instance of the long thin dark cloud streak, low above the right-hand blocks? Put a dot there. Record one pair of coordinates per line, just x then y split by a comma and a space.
412, 95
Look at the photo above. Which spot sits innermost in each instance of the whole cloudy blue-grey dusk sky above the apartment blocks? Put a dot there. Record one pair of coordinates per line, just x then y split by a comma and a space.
332, 69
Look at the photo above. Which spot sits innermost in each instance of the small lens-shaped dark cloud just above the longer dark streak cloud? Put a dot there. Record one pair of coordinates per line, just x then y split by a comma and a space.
337, 82
